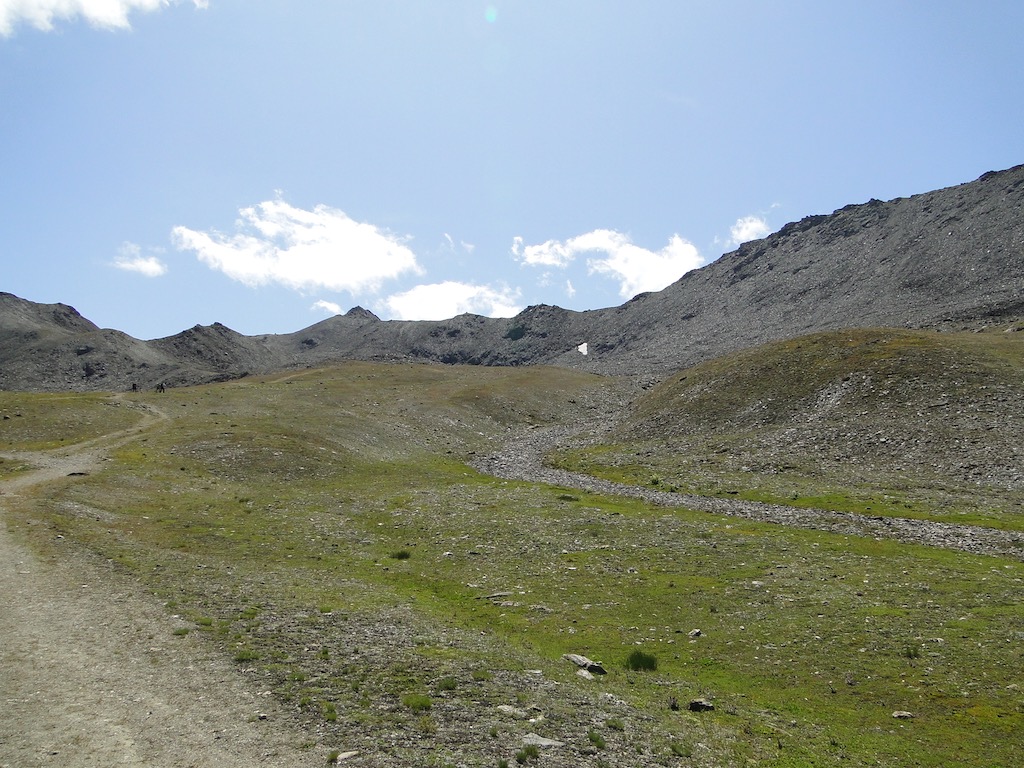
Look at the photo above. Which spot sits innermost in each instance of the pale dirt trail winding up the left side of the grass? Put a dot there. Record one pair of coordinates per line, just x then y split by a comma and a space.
93, 675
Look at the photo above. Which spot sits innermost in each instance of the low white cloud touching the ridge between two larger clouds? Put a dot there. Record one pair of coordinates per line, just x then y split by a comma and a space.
444, 301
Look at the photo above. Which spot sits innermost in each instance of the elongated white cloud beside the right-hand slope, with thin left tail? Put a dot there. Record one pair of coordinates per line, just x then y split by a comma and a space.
637, 270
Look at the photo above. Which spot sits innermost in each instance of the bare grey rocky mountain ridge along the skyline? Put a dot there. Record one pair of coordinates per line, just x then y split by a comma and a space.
951, 259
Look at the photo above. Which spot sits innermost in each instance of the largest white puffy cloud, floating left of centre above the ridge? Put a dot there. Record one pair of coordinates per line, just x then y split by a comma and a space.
318, 249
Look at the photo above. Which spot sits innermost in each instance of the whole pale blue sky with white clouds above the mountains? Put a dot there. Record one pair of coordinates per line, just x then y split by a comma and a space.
269, 163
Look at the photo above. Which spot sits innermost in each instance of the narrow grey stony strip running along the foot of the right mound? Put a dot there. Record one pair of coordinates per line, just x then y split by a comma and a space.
523, 459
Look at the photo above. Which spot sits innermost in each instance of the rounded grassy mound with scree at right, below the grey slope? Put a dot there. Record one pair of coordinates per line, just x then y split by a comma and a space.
876, 421
